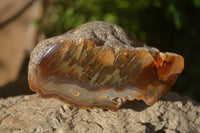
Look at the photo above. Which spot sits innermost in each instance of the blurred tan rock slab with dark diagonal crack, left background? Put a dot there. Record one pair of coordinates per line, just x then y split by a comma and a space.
17, 37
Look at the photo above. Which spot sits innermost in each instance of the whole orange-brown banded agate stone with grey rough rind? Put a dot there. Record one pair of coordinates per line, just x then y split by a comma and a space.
98, 64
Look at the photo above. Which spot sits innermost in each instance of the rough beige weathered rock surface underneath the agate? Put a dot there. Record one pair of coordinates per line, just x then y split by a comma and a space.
171, 114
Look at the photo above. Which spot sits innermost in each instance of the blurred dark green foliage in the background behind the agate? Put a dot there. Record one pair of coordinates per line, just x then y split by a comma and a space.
169, 25
